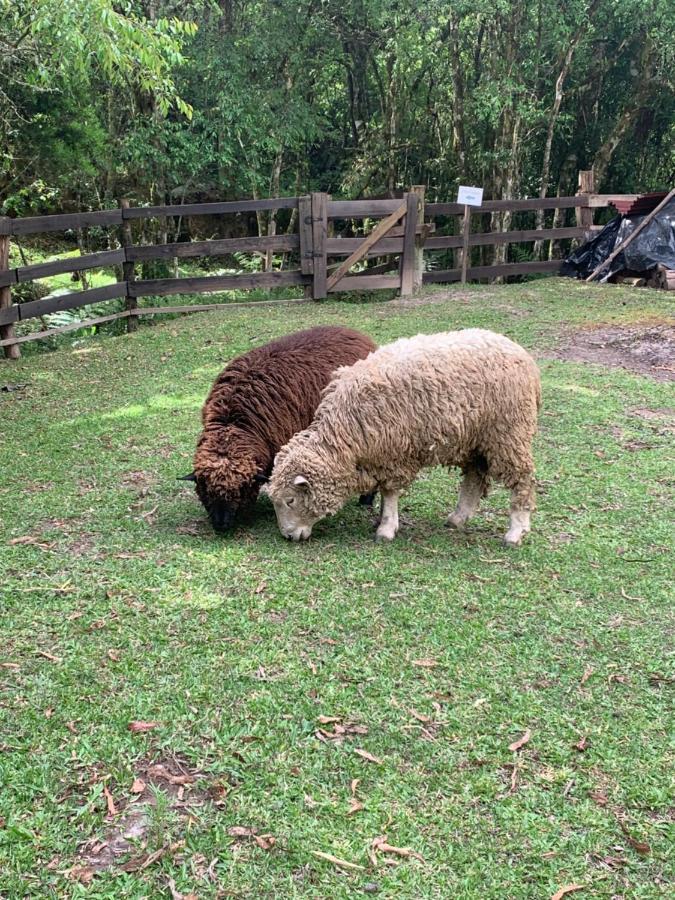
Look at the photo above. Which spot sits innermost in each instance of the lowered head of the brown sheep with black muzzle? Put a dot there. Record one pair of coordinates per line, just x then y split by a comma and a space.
225, 486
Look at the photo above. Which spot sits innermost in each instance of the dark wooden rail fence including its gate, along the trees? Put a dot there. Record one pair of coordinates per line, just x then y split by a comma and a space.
400, 238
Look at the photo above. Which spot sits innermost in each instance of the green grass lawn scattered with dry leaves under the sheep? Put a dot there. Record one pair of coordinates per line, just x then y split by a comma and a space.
265, 668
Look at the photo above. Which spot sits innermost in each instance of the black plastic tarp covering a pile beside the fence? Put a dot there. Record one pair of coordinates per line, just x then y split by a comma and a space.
655, 245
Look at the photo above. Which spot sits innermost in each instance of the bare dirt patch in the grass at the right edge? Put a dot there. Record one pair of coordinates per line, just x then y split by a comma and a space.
647, 348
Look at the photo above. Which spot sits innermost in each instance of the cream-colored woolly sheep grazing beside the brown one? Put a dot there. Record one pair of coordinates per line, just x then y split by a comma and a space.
461, 398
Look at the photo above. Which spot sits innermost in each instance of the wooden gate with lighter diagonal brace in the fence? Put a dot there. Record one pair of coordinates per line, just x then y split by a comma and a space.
399, 233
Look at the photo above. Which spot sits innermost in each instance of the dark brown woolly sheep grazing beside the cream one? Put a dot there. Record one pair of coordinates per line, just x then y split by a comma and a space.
256, 405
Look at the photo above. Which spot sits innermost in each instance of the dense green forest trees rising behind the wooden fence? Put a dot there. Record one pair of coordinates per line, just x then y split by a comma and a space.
160, 100
